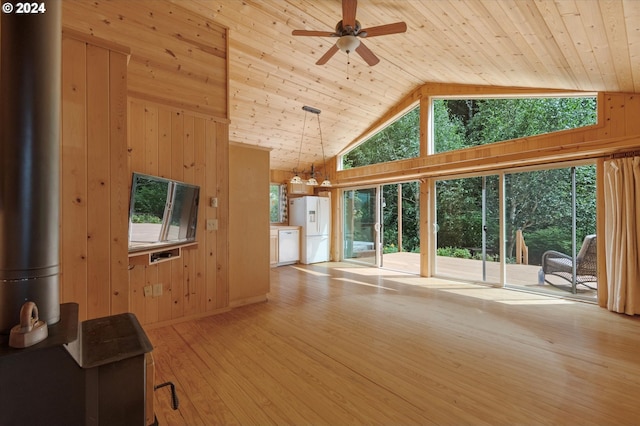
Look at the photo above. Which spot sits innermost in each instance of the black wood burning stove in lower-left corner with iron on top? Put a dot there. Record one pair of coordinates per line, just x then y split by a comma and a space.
91, 373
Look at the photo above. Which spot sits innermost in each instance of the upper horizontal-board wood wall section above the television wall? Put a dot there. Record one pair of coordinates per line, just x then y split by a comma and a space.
178, 58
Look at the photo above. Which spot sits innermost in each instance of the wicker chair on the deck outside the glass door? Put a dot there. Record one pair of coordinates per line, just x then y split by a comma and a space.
560, 264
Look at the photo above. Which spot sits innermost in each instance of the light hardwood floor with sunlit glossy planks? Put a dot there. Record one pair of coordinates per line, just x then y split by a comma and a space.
340, 344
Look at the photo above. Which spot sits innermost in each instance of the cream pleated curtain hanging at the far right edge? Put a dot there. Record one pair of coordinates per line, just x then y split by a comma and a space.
622, 236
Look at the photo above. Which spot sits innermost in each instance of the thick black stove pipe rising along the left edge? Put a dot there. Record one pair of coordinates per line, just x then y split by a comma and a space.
30, 70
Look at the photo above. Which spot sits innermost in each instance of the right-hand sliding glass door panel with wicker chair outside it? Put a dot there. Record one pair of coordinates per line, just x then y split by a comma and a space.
550, 222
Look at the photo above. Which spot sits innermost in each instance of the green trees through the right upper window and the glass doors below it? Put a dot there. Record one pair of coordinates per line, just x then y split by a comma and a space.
538, 203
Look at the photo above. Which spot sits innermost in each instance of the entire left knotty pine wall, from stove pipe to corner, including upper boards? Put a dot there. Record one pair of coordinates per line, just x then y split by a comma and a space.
139, 96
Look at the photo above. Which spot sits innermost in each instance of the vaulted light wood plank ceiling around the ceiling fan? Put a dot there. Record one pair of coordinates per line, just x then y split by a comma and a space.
586, 45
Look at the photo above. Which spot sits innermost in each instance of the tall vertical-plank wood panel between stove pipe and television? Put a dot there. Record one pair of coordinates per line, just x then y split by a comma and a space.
94, 194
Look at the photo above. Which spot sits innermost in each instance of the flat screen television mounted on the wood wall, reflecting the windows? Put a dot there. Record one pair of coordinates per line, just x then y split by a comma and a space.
162, 212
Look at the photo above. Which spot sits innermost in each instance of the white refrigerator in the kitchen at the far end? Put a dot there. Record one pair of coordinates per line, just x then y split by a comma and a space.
313, 215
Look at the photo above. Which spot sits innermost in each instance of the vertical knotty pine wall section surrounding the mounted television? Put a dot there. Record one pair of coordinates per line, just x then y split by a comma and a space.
181, 145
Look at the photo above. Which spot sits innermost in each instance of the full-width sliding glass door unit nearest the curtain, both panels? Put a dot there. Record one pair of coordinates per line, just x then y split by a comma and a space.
548, 227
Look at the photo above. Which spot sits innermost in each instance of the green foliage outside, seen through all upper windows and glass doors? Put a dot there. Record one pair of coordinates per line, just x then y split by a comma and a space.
537, 202
